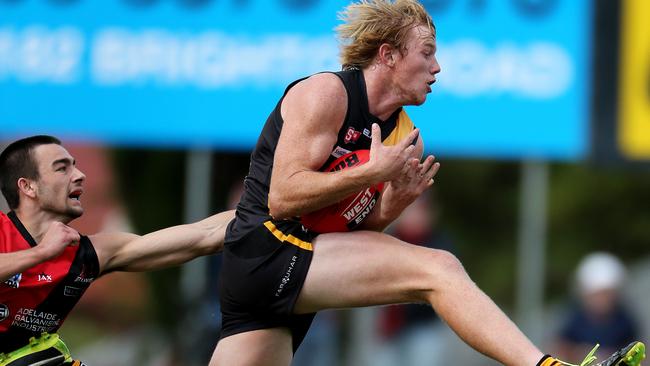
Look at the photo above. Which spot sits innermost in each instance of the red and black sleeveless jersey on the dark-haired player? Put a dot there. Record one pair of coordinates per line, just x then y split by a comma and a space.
40, 298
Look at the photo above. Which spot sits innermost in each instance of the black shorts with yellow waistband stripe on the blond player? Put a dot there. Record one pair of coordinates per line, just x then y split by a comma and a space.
261, 277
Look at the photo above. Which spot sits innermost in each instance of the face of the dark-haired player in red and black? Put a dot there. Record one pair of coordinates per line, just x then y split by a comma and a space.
59, 186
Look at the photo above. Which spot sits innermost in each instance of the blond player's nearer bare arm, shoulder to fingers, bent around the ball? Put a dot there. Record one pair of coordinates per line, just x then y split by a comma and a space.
313, 112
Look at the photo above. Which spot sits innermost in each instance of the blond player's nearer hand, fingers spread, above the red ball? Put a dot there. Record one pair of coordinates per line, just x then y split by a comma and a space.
389, 162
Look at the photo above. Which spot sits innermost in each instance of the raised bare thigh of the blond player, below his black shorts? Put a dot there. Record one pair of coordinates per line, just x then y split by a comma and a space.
365, 268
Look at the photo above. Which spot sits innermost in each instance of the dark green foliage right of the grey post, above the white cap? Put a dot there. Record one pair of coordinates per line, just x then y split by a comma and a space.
596, 208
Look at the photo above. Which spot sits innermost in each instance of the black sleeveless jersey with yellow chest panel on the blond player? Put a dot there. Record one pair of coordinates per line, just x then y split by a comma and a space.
355, 134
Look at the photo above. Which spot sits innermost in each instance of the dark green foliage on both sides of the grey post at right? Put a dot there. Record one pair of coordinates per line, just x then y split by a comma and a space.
589, 208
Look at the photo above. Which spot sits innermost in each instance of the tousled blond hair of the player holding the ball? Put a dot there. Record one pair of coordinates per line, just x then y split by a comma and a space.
370, 23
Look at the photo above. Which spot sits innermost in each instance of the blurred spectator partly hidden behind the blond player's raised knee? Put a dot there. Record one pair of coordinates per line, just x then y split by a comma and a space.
412, 334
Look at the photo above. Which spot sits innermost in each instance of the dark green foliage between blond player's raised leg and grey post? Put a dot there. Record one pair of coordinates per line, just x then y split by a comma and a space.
479, 210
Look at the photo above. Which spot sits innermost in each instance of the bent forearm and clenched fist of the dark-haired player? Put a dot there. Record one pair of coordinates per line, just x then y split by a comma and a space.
55, 240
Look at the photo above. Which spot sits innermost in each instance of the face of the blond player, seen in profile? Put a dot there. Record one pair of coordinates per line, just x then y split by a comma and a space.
416, 68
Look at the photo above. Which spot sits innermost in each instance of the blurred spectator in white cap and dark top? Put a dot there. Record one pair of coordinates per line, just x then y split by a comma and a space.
599, 315
